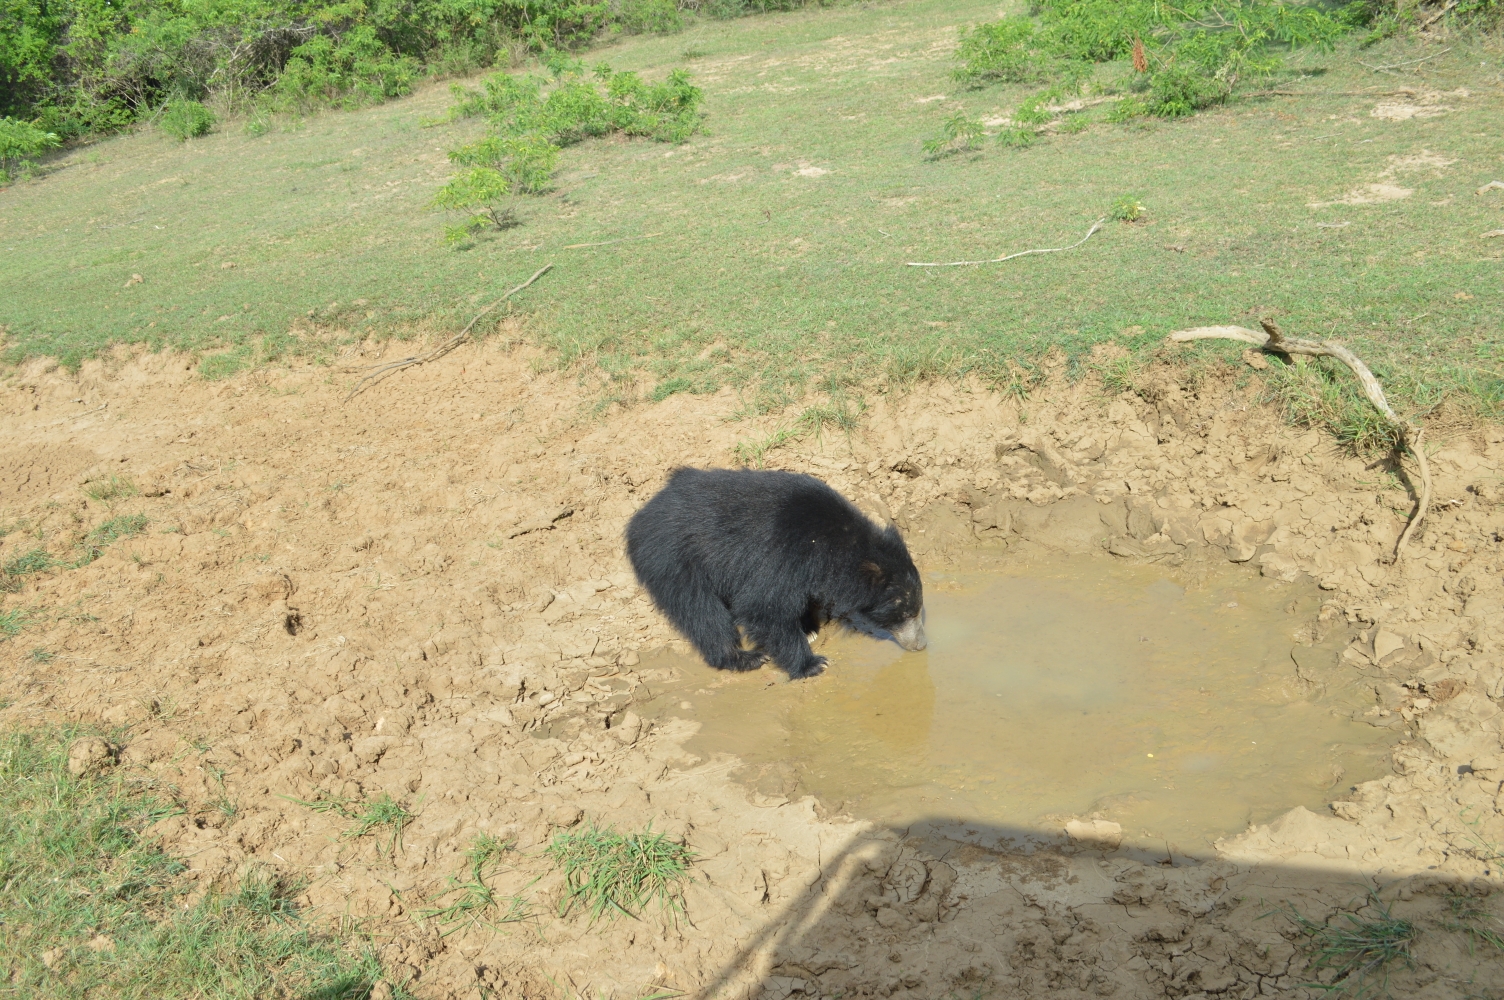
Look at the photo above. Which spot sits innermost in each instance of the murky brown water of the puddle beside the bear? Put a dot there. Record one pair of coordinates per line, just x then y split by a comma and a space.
1064, 688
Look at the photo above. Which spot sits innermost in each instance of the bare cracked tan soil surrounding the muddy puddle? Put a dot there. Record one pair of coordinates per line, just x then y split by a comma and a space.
423, 593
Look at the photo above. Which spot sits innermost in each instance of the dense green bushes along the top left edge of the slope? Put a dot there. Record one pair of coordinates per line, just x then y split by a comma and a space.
80, 67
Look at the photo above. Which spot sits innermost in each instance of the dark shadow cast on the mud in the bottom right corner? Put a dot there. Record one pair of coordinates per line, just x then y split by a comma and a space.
935, 912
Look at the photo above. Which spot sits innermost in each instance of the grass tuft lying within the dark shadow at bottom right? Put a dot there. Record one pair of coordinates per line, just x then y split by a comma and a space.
1356, 954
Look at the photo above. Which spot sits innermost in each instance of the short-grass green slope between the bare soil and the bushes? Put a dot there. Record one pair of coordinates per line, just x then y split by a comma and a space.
771, 271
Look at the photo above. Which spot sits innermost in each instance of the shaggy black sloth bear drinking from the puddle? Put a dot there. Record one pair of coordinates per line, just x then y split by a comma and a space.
777, 554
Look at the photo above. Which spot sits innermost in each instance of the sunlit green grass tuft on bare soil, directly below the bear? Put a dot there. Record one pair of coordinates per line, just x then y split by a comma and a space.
616, 874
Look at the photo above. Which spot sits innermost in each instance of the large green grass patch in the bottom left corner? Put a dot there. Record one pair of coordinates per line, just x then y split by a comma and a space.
91, 908
